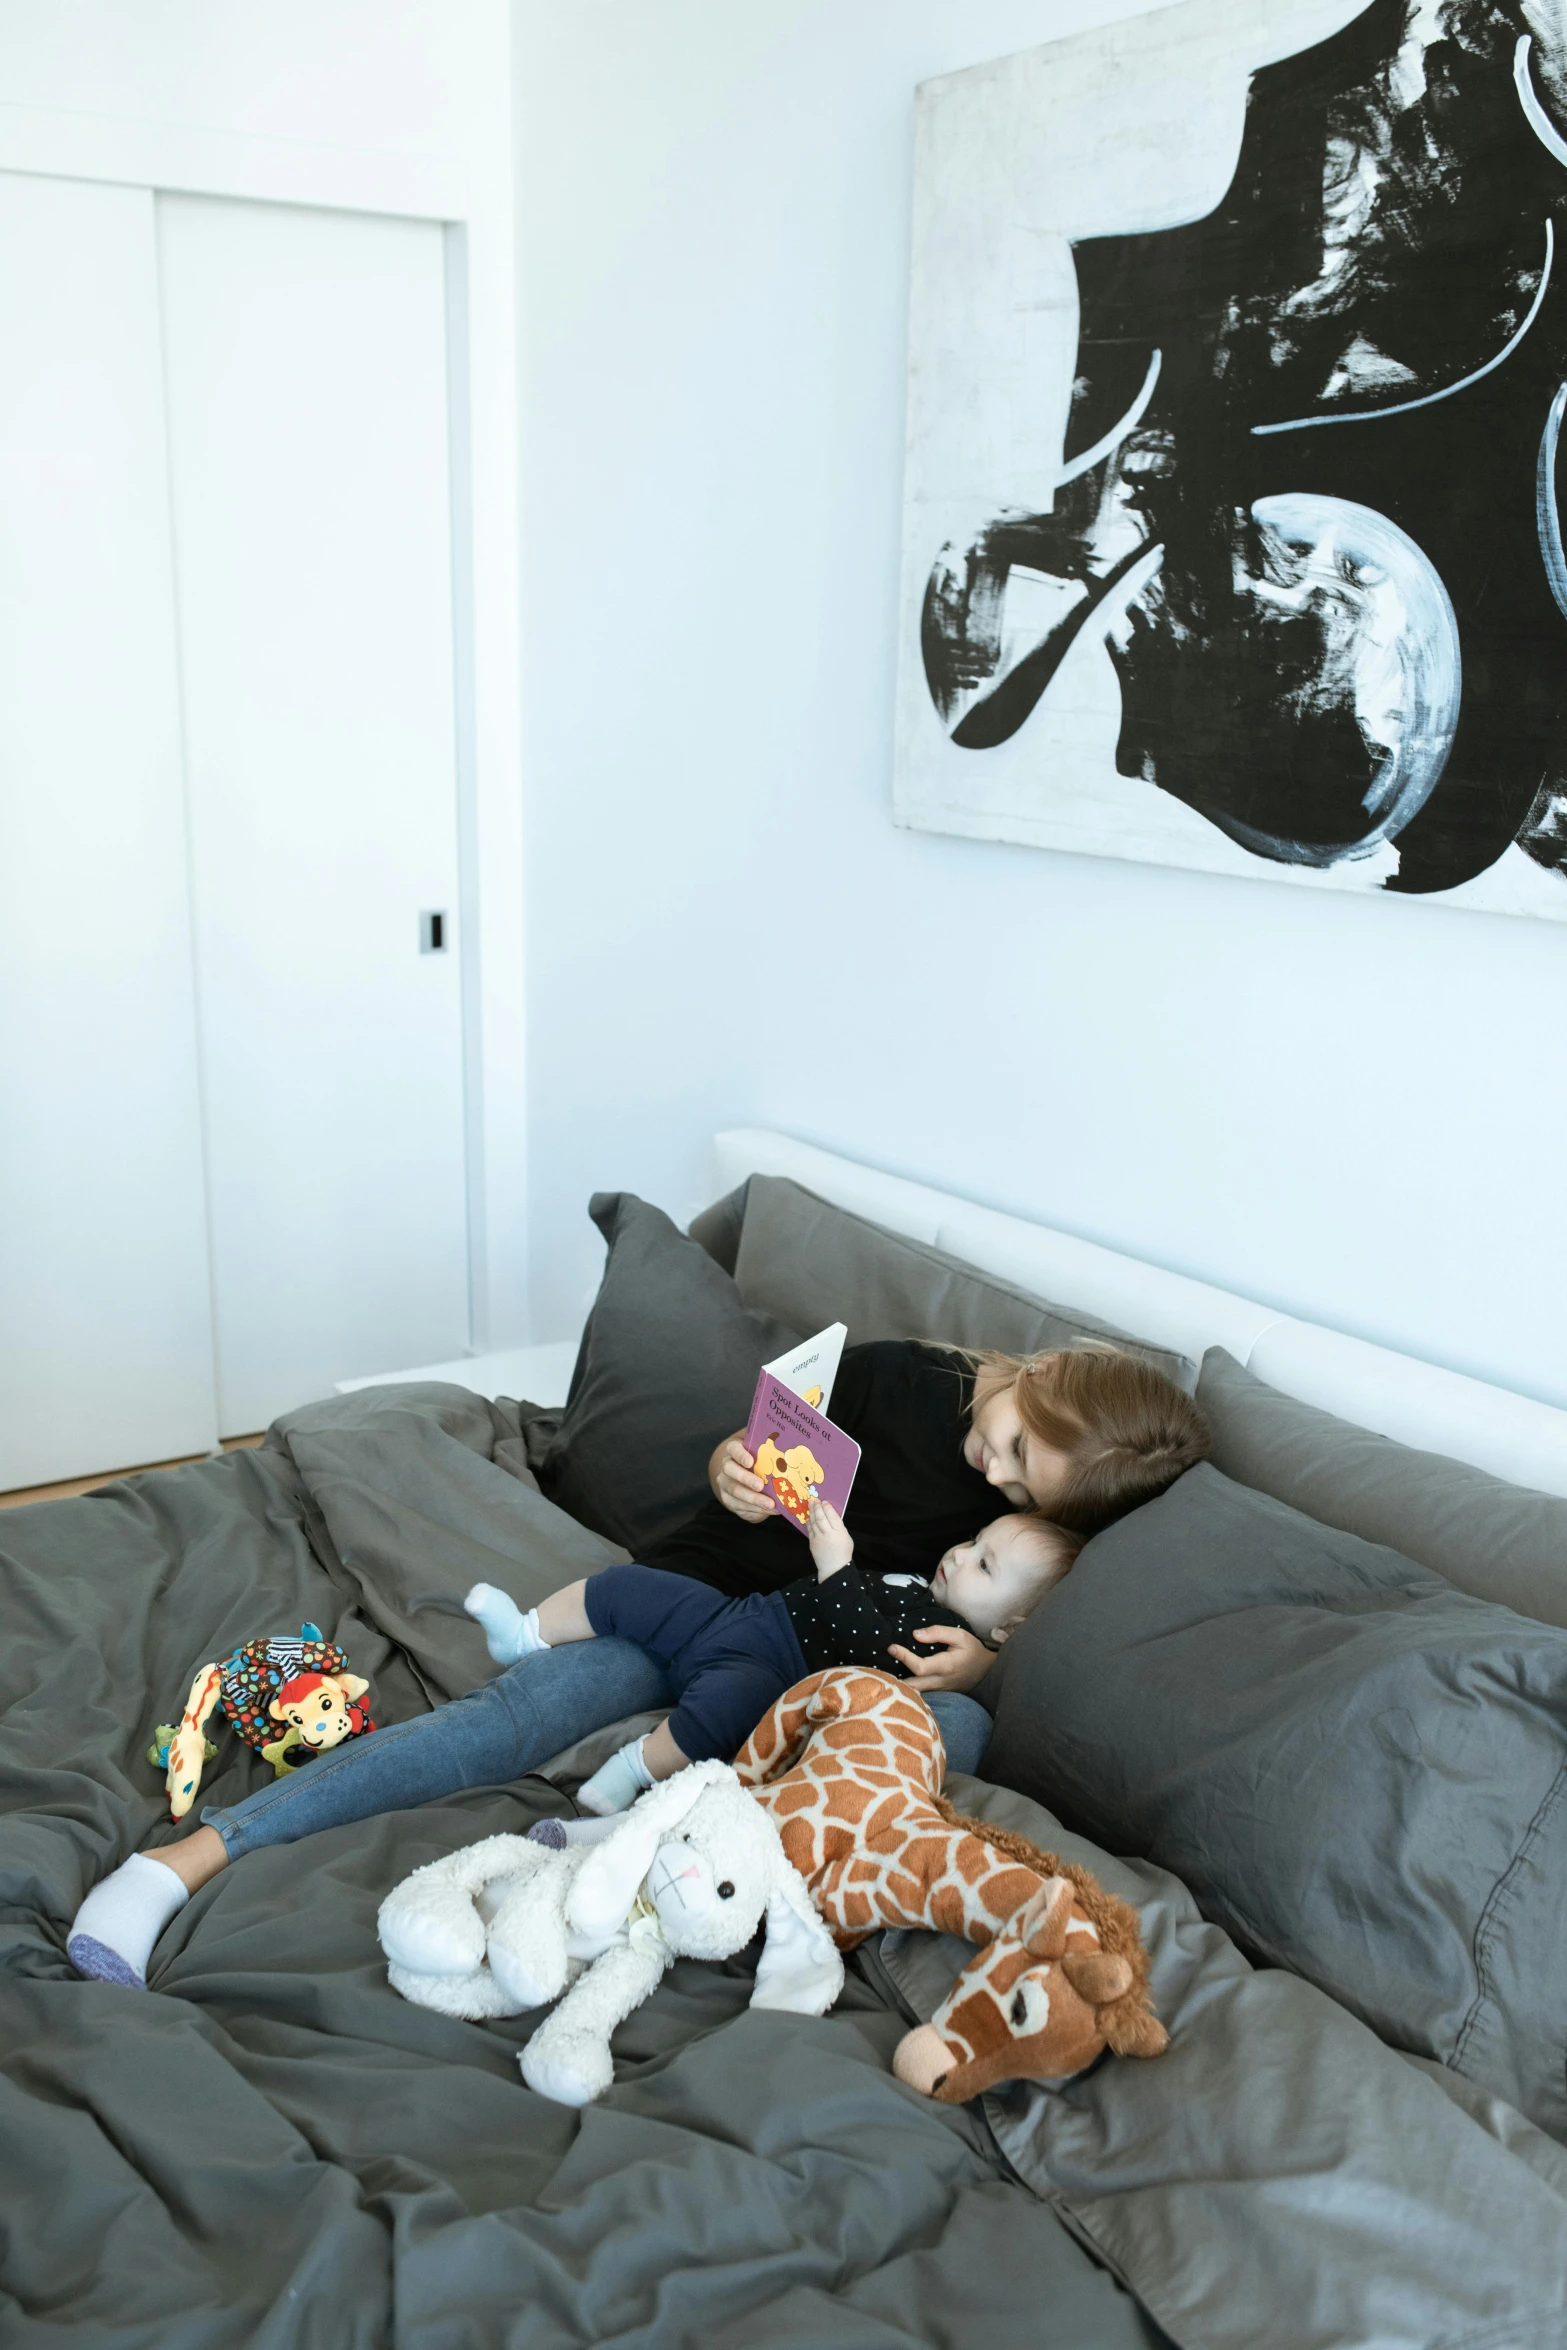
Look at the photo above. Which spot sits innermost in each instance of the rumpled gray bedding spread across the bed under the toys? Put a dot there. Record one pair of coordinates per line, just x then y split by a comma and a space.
271, 2147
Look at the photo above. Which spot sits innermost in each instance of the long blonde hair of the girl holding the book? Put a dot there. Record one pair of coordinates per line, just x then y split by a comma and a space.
1124, 1430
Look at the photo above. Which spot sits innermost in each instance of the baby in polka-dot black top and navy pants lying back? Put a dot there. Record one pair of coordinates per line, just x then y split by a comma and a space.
732, 1660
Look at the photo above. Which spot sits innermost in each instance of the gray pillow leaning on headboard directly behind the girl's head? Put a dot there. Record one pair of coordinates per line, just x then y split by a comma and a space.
814, 1265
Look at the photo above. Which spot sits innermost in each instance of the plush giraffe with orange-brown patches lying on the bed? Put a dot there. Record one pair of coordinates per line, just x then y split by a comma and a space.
852, 1768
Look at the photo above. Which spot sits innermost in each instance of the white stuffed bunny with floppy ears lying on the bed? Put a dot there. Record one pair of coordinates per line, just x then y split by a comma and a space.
690, 1872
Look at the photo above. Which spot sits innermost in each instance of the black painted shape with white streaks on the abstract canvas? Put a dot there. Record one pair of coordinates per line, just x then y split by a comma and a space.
1378, 246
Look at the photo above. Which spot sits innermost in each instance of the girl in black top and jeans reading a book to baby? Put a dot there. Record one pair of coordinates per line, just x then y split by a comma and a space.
1080, 1435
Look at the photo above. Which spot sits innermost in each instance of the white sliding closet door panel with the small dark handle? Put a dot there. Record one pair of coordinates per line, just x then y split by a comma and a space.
309, 457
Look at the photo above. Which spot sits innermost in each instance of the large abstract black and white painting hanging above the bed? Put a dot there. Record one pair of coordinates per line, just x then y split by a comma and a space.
1237, 380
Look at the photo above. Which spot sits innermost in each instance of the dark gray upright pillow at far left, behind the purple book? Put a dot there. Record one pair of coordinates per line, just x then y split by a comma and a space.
666, 1369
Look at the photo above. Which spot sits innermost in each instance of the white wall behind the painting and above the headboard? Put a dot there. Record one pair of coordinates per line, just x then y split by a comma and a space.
1352, 1110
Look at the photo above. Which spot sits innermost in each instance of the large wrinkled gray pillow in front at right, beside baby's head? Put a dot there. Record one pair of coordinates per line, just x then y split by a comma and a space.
1359, 1771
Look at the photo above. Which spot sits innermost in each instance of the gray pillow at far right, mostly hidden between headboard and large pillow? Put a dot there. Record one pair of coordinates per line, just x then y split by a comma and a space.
1491, 1538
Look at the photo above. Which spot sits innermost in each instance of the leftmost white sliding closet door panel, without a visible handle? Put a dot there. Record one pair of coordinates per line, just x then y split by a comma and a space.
105, 1315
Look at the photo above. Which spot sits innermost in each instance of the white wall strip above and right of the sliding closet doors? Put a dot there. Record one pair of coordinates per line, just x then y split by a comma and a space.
321, 95
